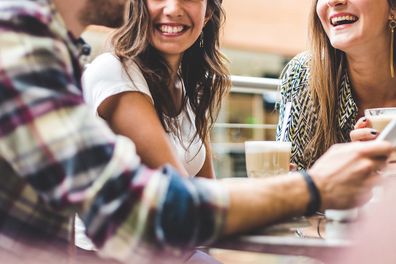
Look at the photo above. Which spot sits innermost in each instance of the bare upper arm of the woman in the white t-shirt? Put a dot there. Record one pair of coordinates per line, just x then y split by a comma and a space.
133, 115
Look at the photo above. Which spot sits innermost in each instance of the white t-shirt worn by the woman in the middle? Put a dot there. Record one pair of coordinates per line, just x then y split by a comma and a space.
105, 77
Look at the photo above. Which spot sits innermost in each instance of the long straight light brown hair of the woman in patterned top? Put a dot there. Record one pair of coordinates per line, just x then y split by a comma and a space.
328, 65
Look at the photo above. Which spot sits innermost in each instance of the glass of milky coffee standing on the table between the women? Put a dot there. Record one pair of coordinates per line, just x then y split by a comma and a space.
267, 158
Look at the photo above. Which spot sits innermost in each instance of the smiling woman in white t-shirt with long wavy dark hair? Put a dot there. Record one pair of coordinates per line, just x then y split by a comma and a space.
163, 84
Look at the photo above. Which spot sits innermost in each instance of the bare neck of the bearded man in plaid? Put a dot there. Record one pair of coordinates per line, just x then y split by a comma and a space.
69, 11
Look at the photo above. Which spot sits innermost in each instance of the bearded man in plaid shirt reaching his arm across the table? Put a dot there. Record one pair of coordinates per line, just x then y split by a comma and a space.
55, 160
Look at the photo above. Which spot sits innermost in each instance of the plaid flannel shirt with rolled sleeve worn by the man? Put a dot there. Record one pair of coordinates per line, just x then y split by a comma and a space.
57, 159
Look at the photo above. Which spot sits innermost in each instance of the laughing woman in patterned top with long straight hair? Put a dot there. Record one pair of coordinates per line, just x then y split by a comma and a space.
349, 68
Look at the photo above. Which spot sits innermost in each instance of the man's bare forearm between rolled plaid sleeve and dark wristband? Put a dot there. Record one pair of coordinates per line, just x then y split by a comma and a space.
257, 202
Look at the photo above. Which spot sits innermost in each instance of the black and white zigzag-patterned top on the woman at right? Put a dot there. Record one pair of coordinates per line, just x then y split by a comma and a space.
300, 125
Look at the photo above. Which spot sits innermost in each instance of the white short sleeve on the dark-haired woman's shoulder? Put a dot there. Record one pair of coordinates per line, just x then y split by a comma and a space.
105, 77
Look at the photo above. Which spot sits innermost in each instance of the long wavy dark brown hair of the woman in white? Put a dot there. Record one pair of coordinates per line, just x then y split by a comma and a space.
203, 70
